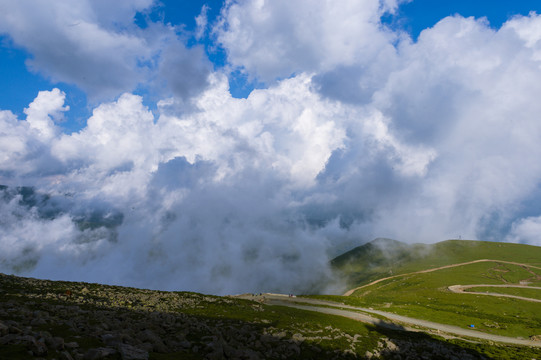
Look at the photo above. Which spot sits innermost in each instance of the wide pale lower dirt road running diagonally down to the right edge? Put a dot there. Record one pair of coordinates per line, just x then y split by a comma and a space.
395, 323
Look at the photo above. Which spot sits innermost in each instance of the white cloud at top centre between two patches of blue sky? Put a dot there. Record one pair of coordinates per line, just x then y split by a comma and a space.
275, 39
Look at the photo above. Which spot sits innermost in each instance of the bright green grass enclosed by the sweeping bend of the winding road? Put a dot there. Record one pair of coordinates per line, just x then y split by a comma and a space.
426, 296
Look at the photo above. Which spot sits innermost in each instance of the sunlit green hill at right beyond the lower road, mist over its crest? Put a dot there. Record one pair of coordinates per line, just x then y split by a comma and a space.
426, 296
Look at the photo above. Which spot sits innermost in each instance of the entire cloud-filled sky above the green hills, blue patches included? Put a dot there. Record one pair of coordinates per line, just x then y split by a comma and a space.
237, 146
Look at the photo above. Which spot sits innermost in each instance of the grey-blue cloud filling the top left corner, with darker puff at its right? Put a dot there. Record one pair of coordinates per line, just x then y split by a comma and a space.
97, 46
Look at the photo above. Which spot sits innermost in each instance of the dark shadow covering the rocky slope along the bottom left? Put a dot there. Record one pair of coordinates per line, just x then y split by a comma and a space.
33, 327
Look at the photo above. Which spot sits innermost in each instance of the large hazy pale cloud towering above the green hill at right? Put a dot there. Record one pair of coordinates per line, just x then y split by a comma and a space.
469, 92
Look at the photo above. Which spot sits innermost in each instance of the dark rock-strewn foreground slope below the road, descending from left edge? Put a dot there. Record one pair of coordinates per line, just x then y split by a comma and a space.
42, 319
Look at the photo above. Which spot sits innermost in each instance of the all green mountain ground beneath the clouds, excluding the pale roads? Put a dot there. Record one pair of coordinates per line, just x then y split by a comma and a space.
43, 319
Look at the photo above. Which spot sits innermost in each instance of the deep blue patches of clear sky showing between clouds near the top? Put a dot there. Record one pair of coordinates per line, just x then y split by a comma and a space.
20, 85
